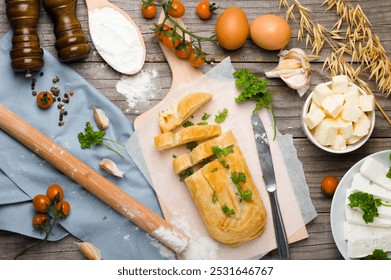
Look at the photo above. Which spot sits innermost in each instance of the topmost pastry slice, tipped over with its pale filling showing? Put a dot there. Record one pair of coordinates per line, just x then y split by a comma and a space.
177, 113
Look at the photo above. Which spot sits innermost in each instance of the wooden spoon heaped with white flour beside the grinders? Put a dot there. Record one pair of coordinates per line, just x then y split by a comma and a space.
116, 37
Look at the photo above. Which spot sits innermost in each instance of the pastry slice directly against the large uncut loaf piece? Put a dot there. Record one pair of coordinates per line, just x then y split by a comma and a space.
202, 151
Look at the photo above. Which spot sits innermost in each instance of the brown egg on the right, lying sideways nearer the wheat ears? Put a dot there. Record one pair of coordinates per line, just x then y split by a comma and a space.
270, 32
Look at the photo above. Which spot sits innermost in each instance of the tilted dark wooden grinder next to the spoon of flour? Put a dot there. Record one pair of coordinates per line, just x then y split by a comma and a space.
71, 42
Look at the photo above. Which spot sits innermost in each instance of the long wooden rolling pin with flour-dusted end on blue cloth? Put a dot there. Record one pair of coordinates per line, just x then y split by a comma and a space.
92, 181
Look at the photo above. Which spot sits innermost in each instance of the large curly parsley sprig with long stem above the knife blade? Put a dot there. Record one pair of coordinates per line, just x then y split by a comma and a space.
255, 89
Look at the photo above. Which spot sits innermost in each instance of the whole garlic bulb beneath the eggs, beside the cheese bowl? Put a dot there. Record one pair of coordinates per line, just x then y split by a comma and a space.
294, 69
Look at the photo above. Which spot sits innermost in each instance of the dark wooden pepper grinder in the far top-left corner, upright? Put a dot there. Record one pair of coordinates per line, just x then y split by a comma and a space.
26, 53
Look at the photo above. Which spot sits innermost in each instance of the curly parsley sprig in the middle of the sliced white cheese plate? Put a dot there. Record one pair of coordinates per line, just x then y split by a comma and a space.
367, 203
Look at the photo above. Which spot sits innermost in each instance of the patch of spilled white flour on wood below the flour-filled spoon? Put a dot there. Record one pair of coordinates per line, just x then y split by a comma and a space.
138, 88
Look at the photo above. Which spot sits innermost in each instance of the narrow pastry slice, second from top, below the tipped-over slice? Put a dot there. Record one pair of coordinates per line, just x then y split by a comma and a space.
186, 135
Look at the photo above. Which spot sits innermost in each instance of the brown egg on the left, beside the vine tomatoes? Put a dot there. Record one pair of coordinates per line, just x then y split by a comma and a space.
232, 28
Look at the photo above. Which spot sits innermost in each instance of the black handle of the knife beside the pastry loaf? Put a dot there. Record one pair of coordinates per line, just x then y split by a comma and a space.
282, 241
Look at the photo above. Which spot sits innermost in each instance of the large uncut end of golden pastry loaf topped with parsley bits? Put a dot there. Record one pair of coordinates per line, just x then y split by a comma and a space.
228, 217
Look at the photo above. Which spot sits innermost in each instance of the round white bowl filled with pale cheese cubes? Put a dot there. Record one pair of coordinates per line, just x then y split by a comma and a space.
338, 116
